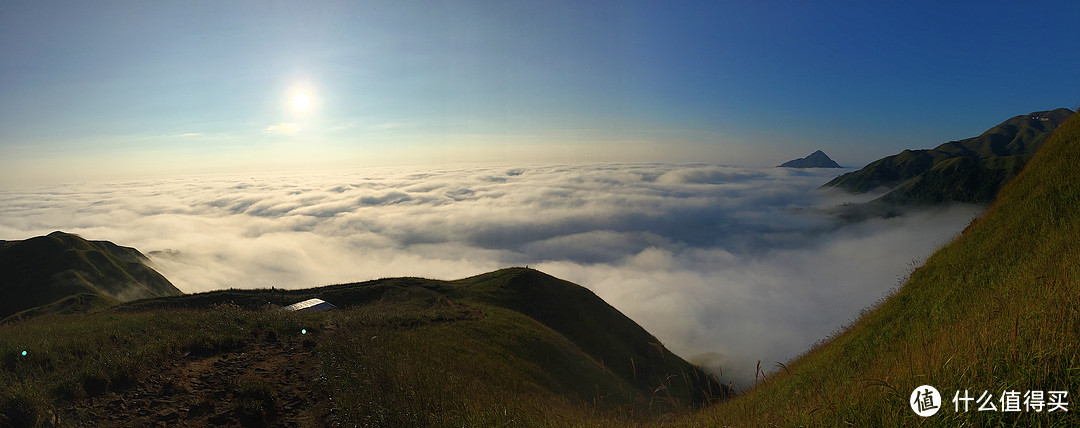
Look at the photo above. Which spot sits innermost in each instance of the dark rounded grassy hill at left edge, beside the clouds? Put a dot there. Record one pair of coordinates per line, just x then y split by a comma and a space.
55, 269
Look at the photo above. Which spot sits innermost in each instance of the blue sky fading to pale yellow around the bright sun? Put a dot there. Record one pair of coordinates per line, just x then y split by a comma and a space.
120, 89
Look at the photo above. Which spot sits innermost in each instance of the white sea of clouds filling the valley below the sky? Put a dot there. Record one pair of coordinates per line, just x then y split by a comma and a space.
726, 266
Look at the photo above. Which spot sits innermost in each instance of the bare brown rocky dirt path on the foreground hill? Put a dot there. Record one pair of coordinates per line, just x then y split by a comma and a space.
267, 383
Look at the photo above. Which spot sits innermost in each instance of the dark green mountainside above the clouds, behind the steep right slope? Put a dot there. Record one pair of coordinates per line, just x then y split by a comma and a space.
969, 170
